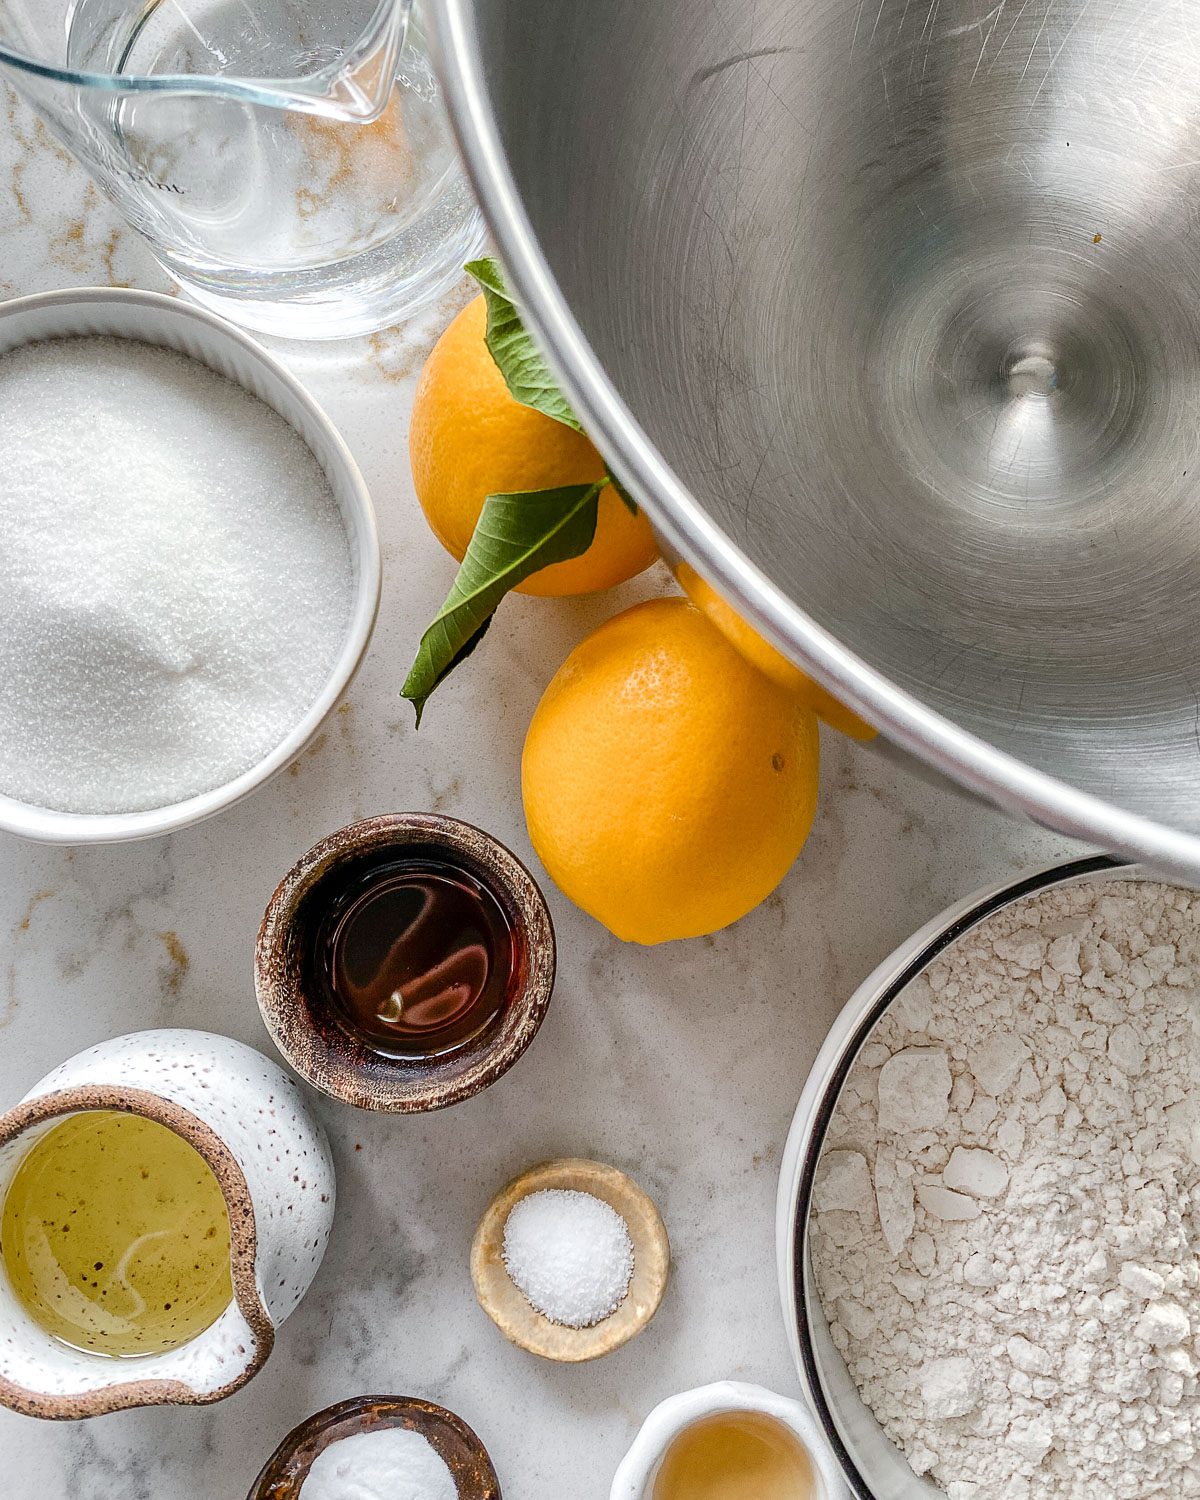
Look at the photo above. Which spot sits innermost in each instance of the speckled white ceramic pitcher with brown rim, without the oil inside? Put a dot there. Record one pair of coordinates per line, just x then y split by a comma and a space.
271, 1157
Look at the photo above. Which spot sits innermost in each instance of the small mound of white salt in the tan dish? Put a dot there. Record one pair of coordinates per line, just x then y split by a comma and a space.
571, 1255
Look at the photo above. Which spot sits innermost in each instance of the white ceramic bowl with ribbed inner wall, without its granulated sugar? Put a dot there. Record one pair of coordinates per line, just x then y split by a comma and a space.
202, 337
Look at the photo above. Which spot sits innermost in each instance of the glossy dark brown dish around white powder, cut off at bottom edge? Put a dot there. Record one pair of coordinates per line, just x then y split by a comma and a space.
448, 1435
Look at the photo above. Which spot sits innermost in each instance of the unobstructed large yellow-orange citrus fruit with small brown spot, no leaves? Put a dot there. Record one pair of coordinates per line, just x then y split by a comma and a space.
668, 785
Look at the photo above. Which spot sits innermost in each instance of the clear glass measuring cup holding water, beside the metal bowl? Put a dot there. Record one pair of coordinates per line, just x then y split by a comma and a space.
289, 161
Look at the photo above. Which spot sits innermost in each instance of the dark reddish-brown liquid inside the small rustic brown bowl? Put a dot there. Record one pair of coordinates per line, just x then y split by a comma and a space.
418, 956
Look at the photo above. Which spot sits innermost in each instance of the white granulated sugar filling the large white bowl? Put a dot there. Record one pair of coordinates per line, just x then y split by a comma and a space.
175, 577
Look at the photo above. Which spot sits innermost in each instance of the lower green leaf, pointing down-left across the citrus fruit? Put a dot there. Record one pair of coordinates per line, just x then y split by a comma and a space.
515, 536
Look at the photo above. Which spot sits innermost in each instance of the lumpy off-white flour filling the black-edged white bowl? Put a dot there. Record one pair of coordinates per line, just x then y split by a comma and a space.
1007, 1219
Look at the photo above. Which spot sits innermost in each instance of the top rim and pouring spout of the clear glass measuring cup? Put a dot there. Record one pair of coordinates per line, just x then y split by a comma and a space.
340, 59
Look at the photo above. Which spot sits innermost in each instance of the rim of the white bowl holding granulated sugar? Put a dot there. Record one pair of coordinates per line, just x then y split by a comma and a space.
56, 827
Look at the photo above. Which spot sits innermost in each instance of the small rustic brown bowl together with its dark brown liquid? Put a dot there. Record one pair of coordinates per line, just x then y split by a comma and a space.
406, 962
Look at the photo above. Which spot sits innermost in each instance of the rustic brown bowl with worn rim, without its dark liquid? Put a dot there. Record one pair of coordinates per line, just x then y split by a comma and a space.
316, 1043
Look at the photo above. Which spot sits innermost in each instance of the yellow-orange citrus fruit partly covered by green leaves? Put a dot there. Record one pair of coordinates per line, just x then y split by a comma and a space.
469, 440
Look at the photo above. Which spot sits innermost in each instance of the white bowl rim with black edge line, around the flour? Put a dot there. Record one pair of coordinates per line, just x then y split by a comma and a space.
850, 1031
